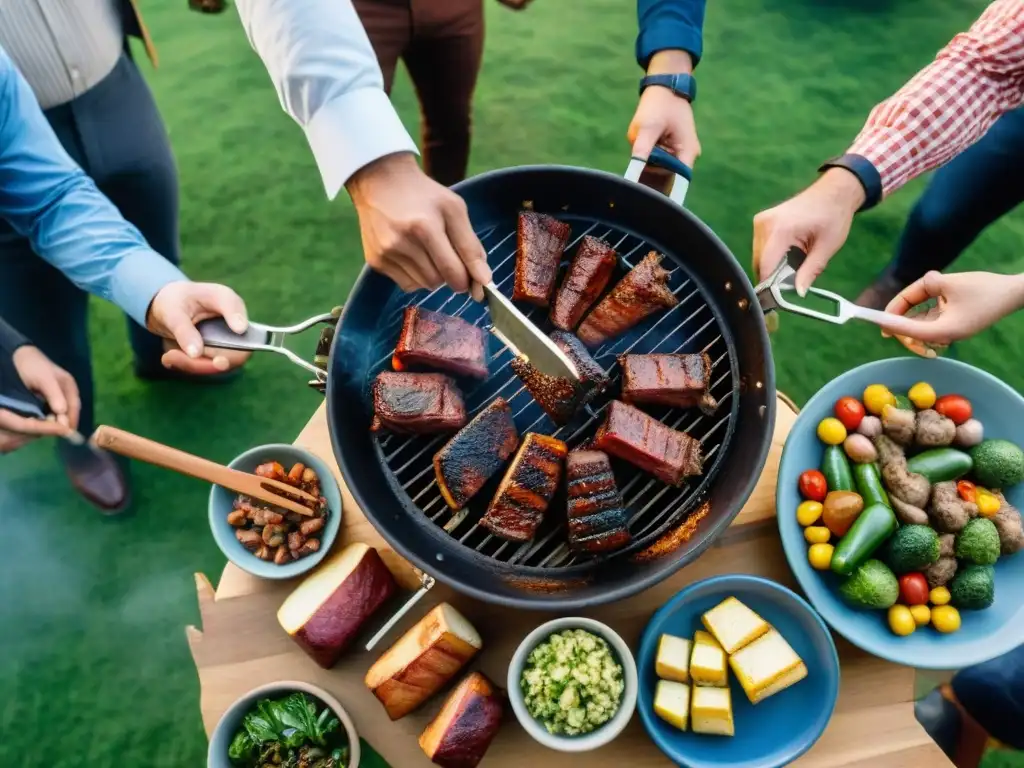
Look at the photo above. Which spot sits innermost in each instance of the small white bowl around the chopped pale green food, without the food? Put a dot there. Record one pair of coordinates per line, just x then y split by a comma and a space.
607, 733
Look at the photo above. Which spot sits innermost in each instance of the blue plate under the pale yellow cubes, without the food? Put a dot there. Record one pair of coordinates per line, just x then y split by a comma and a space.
779, 730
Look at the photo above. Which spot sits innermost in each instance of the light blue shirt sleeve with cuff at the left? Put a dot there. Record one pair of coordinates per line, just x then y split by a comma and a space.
51, 201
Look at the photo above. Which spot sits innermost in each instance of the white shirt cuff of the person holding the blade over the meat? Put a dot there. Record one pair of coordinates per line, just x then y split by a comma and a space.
353, 132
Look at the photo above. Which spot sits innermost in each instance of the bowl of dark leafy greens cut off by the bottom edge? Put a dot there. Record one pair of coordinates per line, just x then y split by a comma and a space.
288, 724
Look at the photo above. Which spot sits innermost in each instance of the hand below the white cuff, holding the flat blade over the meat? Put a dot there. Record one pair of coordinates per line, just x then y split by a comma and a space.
415, 231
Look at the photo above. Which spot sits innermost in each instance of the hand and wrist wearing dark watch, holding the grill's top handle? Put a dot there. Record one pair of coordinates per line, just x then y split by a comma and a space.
662, 117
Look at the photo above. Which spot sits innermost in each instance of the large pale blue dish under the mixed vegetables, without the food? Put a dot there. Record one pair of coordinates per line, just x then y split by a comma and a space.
984, 634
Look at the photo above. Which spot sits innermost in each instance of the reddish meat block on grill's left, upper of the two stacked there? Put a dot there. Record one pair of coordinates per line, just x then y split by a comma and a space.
441, 342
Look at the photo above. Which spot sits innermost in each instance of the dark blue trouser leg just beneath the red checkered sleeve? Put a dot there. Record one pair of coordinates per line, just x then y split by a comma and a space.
964, 197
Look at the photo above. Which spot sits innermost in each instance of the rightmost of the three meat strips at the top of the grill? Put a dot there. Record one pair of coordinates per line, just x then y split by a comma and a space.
638, 295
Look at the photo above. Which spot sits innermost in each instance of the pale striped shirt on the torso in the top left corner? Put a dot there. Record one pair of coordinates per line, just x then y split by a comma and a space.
63, 48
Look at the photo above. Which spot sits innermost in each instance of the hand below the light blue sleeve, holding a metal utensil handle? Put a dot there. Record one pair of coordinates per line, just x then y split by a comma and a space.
174, 315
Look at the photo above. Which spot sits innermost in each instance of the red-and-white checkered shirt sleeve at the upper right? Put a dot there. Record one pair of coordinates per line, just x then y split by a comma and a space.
951, 104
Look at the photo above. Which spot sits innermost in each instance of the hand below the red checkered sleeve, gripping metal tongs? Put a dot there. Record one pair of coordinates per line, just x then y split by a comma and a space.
818, 221
